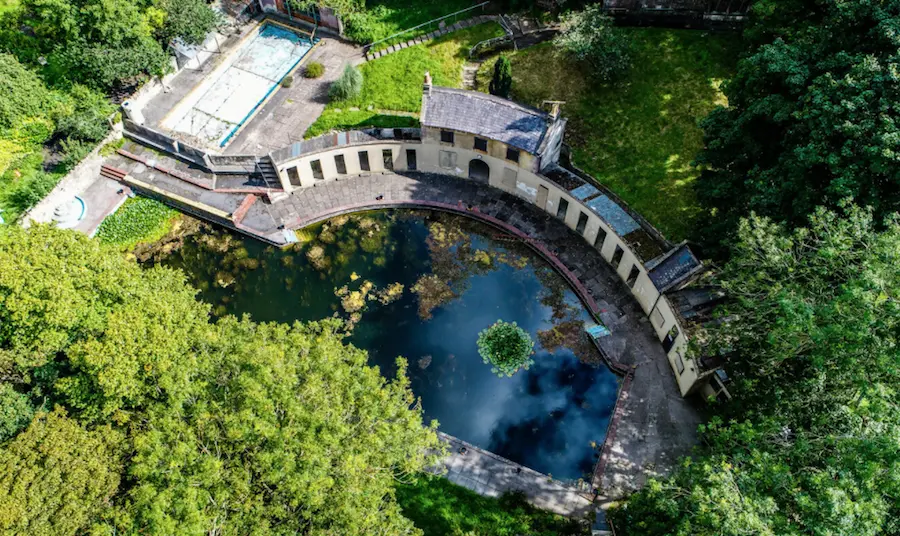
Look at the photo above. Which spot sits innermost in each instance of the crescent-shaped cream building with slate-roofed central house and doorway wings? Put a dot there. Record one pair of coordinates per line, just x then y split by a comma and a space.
516, 149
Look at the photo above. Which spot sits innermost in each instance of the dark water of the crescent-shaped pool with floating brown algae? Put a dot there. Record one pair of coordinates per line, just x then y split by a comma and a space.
457, 278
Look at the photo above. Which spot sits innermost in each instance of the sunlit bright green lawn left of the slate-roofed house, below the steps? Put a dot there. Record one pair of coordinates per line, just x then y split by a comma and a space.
394, 82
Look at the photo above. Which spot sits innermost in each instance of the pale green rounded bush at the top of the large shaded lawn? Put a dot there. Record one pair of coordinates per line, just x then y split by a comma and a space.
591, 37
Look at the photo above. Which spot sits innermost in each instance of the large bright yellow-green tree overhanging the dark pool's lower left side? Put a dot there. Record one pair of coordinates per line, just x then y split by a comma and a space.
291, 432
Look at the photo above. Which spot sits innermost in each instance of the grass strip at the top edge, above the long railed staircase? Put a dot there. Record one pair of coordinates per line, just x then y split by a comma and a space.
383, 18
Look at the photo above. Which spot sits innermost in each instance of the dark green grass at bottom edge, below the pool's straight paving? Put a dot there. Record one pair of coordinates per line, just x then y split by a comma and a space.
441, 508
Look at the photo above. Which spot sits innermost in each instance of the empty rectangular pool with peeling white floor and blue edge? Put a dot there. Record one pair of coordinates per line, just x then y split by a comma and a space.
231, 94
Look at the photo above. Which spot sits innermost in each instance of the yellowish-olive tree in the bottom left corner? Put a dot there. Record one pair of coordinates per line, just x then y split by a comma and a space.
56, 477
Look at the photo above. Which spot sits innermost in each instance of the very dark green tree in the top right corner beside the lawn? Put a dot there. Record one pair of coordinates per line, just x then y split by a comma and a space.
811, 116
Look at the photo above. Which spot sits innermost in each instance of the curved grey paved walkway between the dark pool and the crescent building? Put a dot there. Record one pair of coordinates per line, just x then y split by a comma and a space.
654, 424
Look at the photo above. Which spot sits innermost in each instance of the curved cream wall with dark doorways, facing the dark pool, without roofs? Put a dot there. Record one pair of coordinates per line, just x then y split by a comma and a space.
520, 179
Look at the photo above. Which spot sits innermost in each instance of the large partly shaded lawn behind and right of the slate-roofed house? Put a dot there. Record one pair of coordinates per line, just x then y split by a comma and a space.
639, 135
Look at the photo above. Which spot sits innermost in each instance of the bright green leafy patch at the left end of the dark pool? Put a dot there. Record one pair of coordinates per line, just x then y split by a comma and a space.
139, 220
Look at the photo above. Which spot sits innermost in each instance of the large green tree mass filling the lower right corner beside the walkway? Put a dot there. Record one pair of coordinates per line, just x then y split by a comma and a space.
809, 443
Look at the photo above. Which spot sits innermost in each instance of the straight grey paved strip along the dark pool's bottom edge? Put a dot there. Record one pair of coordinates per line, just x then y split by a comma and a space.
491, 475
